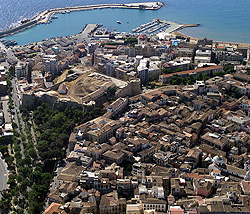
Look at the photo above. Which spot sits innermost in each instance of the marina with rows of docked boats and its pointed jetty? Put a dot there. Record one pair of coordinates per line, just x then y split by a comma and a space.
159, 25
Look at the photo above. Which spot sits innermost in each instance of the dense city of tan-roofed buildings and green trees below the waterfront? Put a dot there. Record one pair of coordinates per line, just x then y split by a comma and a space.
107, 122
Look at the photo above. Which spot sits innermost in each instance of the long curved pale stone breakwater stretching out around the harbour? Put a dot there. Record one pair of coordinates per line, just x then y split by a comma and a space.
45, 16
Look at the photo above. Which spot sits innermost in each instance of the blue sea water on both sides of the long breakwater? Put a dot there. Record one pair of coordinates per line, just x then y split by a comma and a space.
221, 20
